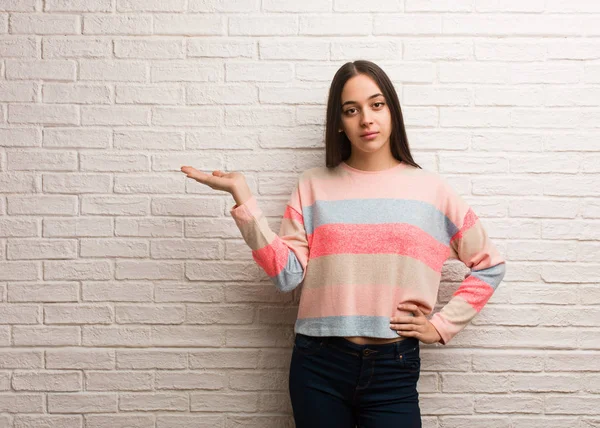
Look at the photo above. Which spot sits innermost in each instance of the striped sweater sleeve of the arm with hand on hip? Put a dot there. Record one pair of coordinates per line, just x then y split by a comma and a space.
470, 244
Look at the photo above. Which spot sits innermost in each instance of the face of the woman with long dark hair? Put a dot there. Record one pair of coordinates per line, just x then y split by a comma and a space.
362, 114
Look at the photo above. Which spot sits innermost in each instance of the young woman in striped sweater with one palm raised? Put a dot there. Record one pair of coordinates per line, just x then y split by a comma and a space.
366, 236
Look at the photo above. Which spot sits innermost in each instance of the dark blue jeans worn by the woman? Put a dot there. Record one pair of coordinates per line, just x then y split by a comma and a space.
334, 383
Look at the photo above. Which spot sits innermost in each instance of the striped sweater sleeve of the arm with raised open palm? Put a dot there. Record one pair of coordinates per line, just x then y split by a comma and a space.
283, 257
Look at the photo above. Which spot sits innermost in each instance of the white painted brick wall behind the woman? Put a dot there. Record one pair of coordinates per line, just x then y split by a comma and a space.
129, 299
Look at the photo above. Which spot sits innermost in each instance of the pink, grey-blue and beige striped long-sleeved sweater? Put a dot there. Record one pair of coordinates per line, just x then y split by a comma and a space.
362, 242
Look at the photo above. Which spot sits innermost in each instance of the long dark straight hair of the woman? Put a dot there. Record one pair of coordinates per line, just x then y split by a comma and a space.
337, 144
